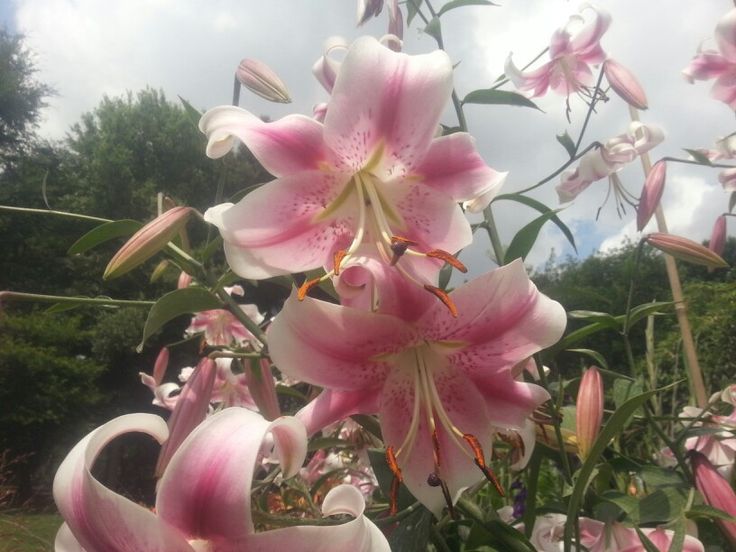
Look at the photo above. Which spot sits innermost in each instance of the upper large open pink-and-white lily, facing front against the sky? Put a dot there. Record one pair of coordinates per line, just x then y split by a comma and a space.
372, 174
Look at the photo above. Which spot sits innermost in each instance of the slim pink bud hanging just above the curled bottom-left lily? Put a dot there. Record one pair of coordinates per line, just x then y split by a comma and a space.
190, 410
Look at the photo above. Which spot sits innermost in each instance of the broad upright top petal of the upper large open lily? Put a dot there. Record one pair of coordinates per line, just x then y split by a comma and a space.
386, 101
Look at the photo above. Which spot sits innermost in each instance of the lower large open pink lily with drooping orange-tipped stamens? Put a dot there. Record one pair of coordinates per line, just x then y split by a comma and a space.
440, 384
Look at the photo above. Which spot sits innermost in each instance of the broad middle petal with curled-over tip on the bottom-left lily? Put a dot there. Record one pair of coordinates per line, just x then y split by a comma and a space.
205, 491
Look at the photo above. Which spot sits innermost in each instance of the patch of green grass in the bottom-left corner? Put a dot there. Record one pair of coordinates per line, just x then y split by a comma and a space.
27, 532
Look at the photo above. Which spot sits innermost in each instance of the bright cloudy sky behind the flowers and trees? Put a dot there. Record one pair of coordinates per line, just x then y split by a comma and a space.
85, 49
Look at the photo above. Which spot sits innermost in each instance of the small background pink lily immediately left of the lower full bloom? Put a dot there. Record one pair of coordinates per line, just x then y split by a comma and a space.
222, 328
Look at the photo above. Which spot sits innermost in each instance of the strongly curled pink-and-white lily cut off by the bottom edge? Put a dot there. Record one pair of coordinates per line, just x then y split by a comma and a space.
204, 497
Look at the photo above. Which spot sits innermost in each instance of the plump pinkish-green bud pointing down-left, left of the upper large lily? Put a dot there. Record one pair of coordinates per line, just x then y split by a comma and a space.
148, 241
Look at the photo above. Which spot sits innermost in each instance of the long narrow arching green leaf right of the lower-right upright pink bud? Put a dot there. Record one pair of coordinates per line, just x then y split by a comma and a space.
613, 426
